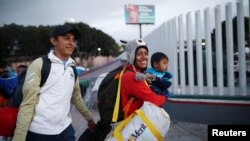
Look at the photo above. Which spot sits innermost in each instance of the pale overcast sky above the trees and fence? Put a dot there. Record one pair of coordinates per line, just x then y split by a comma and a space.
106, 15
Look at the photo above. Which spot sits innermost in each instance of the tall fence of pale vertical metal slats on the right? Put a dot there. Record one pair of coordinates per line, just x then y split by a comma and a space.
199, 67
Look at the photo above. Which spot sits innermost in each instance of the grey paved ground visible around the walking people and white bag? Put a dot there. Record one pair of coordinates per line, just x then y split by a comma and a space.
179, 131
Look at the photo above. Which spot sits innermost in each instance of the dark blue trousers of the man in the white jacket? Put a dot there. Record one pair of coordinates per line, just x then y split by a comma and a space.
67, 135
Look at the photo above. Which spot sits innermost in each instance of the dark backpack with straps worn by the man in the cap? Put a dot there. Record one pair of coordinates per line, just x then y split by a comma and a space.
18, 94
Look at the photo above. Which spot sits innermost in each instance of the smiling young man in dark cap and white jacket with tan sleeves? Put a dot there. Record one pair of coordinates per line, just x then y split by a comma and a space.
44, 113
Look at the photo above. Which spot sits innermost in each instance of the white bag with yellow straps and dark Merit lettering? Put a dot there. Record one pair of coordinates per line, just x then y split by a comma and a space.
149, 123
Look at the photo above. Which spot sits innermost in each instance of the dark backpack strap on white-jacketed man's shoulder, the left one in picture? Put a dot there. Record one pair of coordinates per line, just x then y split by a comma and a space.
46, 66
